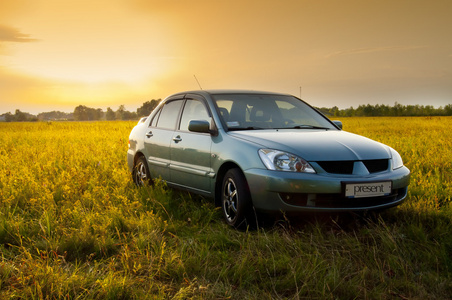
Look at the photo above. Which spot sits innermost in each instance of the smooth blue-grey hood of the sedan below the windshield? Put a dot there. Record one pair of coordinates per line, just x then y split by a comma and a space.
317, 145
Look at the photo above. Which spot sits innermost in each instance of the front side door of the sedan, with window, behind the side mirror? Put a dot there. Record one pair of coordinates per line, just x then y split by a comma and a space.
190, 151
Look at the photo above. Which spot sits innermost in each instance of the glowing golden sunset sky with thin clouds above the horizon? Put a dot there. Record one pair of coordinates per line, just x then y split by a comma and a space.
58, 54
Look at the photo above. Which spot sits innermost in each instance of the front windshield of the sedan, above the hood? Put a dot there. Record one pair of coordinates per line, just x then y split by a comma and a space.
261, 111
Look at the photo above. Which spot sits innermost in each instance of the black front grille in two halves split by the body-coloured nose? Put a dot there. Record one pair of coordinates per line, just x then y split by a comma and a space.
346, 166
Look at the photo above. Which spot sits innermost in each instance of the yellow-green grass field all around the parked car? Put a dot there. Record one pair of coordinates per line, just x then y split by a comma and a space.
73, 226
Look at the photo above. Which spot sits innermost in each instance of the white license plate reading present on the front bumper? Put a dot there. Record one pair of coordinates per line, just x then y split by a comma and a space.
368, 189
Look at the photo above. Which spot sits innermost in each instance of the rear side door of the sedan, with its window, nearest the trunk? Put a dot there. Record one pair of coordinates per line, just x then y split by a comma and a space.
158, 139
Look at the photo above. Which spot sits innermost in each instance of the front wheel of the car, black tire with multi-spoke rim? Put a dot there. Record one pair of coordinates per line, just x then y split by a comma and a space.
236, 199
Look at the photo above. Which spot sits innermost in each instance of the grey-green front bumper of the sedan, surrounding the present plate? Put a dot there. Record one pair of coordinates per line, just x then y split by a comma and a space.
300, 192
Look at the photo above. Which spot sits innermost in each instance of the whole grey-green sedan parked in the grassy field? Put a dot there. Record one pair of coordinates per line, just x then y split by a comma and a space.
253, 151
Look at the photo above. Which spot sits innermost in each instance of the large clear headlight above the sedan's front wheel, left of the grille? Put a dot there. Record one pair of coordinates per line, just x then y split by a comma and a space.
283, 161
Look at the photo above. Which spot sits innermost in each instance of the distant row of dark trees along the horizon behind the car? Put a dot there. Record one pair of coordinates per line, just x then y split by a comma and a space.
84, 113
